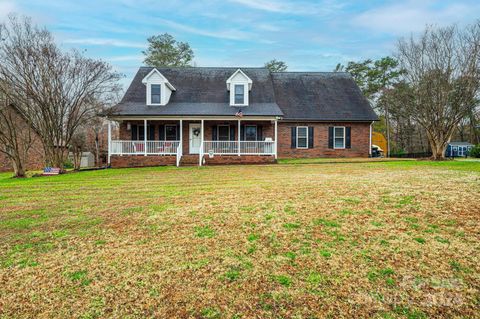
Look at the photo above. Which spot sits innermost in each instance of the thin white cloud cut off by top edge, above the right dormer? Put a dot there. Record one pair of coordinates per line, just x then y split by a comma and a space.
291, 7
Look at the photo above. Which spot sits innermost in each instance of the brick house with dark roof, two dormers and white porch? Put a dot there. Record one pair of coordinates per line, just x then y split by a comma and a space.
198, 116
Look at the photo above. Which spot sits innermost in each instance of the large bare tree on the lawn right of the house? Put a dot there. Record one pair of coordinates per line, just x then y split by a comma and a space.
442, 69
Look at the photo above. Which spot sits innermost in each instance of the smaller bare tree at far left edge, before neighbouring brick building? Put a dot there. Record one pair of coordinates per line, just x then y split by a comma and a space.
16, 137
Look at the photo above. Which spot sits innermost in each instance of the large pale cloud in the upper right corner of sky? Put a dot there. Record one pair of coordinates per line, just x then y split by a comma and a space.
413, 16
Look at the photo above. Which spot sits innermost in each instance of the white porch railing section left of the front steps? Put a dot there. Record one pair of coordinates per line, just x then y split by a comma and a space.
138, 147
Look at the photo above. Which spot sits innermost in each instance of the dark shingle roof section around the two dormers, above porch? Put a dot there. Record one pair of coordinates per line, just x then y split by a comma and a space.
201, 91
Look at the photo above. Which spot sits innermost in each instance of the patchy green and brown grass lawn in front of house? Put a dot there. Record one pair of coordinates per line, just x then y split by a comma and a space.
380, 239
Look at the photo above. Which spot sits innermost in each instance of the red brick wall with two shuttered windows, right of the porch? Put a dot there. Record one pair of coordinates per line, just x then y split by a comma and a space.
360, 135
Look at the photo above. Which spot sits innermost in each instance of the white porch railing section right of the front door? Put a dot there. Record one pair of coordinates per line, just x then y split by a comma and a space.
246, 147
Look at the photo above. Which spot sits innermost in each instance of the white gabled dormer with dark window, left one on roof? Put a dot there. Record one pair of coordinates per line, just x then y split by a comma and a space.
158, 88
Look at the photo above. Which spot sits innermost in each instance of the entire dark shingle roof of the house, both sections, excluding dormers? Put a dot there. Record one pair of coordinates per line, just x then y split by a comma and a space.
293, 95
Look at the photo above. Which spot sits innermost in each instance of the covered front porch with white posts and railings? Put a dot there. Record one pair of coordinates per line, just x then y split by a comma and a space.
205, 139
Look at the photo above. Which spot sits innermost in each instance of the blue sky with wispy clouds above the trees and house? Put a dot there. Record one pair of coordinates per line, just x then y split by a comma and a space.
307, 35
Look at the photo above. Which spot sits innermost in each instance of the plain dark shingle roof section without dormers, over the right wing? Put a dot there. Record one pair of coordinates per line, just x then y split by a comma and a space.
328, 96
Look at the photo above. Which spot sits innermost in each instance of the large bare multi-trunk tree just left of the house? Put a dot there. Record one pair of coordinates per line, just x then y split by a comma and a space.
57, 91
